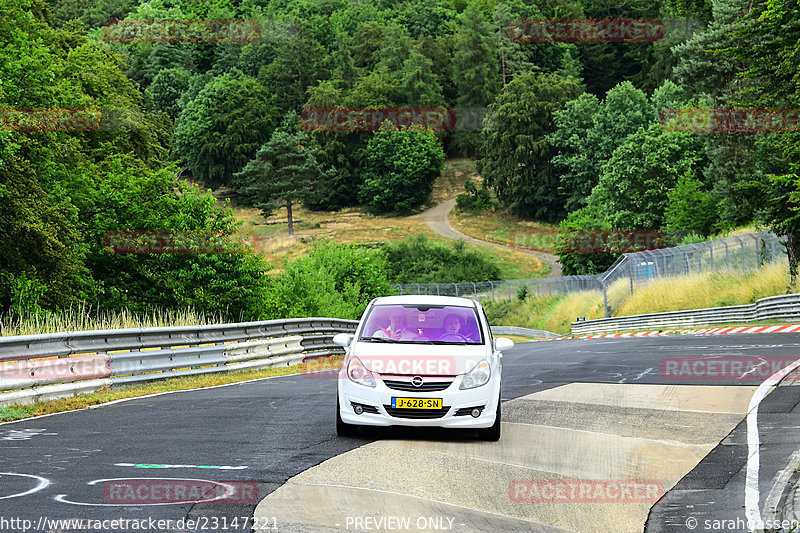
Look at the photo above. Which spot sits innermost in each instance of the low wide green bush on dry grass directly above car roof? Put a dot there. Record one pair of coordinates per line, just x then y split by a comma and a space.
419, 260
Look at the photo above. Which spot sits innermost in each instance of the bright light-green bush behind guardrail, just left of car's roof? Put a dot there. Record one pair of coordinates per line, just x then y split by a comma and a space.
333, 280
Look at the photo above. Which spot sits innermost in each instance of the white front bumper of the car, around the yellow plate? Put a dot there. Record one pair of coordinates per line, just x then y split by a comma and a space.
380, 397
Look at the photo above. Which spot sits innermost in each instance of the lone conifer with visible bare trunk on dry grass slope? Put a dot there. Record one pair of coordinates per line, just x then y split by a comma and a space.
284, 172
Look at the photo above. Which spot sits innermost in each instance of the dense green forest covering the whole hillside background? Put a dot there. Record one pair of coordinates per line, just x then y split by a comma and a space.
572, 133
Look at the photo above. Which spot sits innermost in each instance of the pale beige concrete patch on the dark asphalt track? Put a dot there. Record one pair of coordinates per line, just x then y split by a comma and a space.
613, 432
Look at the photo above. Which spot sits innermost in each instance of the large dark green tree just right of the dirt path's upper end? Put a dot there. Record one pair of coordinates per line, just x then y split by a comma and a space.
517, 156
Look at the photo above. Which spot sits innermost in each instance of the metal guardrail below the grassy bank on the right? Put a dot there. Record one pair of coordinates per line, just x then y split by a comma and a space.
785, 307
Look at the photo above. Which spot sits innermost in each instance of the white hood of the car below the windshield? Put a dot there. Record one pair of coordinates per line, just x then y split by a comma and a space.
419, 359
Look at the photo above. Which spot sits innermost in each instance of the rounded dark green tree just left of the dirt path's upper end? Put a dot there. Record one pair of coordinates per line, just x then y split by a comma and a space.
399, 170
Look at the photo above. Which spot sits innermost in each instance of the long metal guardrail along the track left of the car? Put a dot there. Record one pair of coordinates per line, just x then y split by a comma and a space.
55, 365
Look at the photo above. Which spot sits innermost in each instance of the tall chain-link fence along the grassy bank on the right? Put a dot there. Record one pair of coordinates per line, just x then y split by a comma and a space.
739, 253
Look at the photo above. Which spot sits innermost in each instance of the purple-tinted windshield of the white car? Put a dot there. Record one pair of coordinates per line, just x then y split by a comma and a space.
425, 324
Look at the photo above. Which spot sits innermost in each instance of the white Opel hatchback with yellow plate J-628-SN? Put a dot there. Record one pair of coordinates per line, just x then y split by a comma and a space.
421, 361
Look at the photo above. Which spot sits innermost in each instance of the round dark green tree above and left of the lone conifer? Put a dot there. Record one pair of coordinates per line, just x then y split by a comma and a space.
220, 130
